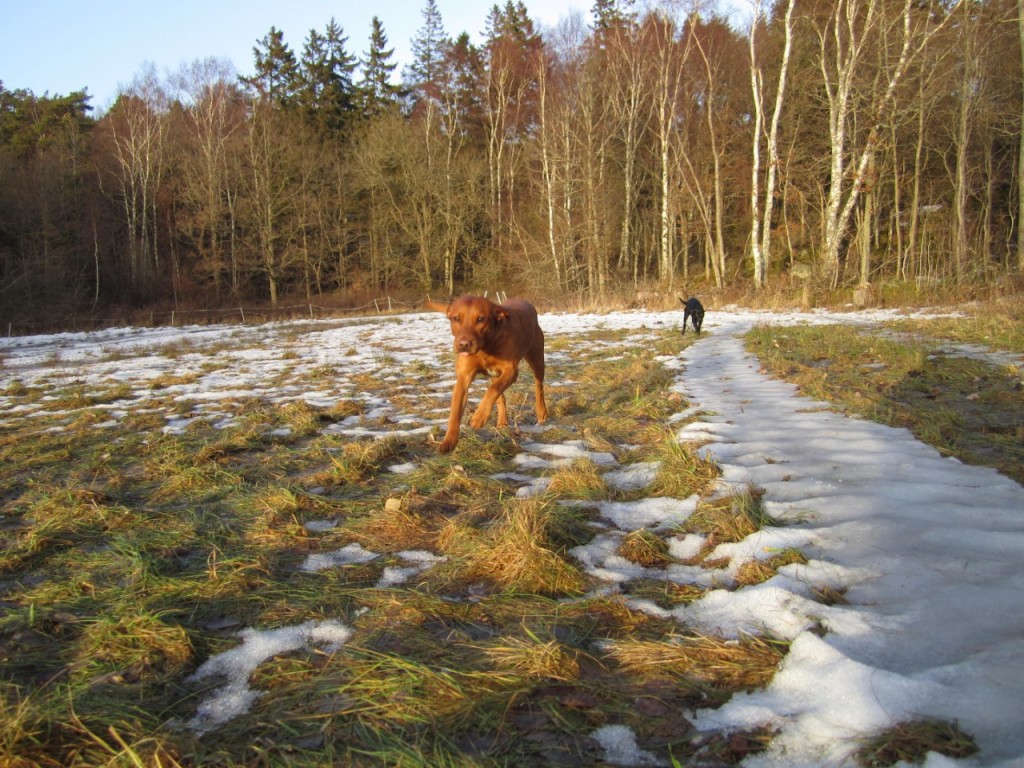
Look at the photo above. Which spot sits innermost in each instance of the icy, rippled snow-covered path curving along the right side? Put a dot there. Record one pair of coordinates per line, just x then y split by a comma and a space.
931, 551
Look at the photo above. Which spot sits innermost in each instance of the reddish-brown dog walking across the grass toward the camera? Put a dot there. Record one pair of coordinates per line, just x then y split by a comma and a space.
491, 339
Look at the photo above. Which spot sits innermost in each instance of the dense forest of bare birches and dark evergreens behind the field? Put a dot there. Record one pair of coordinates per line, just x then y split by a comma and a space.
847, 142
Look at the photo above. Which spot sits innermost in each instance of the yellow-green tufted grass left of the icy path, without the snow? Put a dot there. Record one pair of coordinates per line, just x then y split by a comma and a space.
131, 556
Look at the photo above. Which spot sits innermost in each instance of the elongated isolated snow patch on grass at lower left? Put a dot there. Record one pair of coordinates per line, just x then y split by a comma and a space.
236, 697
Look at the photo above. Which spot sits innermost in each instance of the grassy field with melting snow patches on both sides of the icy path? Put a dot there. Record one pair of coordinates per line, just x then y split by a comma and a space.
238, 545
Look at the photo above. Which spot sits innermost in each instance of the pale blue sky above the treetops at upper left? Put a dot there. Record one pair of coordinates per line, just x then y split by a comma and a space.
59, 47
